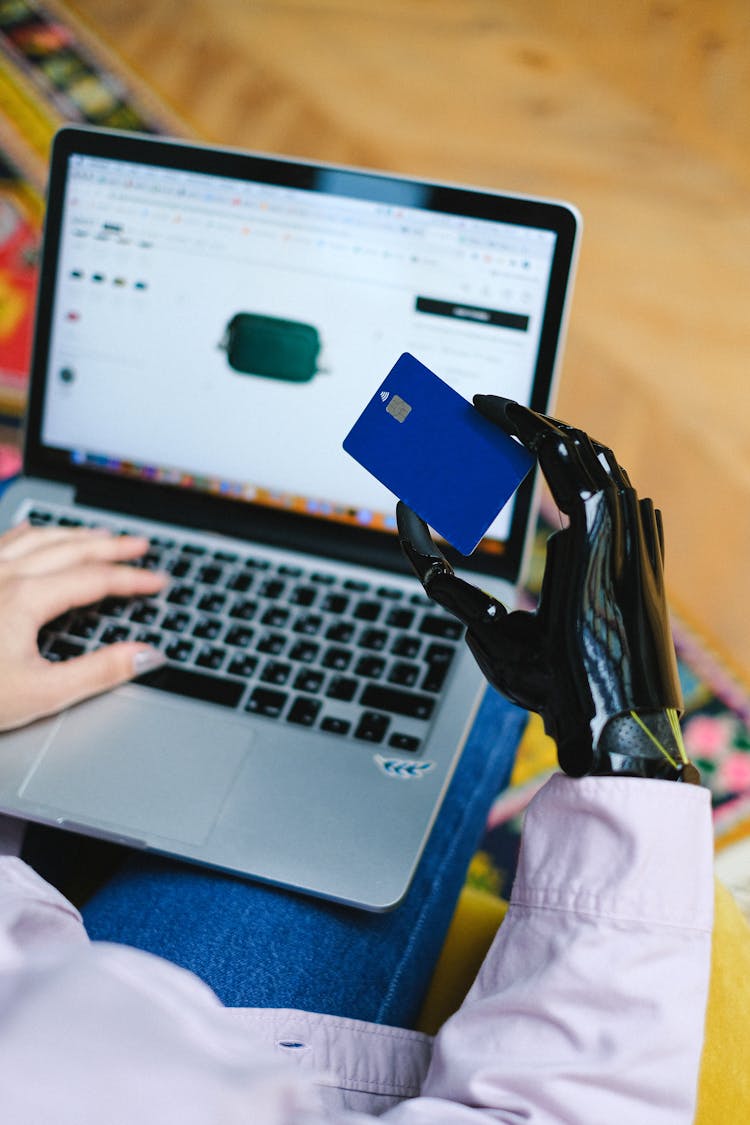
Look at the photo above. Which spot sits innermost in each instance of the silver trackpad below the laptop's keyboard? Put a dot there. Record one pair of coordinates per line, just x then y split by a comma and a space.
151, 768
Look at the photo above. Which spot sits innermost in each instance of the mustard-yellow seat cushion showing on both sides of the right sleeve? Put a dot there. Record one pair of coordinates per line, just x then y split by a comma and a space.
725, 1084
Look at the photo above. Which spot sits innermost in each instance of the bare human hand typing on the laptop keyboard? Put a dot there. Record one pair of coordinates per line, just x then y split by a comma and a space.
44, 572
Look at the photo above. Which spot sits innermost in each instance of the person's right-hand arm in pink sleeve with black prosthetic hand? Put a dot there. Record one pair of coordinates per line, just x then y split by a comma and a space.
592, 1005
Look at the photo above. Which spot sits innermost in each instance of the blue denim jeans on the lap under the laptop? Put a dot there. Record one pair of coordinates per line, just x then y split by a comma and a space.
264, 947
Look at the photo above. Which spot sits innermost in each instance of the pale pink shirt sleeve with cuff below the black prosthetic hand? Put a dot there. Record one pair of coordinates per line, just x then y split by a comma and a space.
591, 1005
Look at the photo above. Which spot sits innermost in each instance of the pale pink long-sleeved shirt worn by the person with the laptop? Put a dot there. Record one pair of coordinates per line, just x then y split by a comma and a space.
590, 1007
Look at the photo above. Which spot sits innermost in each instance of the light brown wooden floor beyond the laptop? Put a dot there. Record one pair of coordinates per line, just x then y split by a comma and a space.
639, 113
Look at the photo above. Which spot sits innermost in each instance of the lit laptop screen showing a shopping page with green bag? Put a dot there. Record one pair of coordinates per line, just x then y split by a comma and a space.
221, 334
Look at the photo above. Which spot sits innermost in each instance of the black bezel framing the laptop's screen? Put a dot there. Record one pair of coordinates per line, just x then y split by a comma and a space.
240, 518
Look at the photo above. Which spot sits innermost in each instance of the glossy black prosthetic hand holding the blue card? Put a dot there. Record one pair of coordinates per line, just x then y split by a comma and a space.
597, 659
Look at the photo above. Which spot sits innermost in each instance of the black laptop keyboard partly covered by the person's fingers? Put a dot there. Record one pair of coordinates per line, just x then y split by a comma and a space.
304, 646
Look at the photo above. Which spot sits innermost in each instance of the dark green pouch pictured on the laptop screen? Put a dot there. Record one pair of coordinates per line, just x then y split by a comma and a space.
272, 347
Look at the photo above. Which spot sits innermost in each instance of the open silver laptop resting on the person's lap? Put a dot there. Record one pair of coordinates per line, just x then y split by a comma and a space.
210, 326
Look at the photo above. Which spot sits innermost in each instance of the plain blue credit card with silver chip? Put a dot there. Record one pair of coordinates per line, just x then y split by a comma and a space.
438, 454
